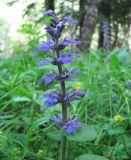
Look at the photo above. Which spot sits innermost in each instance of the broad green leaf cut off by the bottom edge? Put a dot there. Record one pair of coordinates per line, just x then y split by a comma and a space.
91, 157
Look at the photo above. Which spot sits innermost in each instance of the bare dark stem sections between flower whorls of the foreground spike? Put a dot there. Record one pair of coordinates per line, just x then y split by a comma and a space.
64, 109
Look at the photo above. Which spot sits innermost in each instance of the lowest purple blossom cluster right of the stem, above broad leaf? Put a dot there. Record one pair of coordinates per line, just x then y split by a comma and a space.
72, 125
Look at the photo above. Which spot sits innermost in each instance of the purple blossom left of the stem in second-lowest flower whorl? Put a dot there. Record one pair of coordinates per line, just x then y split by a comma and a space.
52, 99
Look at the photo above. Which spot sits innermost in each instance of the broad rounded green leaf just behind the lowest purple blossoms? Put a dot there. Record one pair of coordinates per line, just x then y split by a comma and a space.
85, 133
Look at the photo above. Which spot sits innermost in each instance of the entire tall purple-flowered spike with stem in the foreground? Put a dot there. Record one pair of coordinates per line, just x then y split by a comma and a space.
60, 59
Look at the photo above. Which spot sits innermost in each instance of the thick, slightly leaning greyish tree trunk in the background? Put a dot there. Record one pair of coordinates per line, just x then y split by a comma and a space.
89, 23
